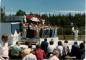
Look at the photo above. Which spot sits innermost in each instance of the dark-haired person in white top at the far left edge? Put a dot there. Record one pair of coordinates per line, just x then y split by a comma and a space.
4, 49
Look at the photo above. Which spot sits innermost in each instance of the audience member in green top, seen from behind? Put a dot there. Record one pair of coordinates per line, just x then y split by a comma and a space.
14, 51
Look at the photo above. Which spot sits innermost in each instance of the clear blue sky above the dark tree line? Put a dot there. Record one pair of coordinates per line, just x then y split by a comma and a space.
43, 6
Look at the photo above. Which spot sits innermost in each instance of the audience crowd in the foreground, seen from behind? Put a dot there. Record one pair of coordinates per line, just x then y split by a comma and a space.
42, 51
